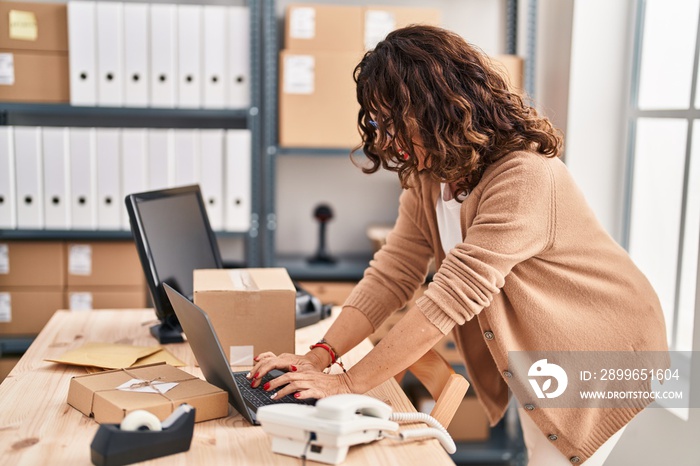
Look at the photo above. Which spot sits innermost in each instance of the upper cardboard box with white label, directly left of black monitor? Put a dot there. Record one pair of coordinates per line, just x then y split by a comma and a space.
103, 263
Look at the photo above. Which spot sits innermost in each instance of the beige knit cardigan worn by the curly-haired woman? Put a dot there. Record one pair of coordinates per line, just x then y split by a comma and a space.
536, 272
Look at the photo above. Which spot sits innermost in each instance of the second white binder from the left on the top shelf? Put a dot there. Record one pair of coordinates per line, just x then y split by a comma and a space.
110, 53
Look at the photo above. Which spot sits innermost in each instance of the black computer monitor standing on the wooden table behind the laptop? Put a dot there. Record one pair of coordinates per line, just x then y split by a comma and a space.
173, 237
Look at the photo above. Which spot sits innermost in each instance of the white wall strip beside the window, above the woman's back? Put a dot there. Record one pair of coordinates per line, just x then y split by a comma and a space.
598, 96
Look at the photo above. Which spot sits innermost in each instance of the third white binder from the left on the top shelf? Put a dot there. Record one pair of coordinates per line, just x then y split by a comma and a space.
136, 54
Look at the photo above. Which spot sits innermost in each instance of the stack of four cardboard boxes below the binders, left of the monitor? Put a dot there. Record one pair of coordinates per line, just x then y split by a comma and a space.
39, 277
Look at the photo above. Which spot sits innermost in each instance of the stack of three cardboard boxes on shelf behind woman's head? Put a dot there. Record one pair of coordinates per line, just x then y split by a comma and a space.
322, 45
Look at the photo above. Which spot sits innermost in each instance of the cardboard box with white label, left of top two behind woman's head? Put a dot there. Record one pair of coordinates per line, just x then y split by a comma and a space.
314, 27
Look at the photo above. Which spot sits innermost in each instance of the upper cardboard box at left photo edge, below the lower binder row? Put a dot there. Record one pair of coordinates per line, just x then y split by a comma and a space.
32, 263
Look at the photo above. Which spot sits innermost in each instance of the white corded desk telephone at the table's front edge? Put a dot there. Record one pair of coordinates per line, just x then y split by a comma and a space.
325, 432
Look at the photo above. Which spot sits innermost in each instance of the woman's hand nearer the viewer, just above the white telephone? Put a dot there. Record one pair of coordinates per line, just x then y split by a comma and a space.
309, 384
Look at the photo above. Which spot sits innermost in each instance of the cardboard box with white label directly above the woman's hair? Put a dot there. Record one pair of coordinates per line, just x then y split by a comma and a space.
379, 20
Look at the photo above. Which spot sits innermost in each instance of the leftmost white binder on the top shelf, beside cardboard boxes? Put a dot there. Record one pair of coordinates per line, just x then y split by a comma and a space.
82, 57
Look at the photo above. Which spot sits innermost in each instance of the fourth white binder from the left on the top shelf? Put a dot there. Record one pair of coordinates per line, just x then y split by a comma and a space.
163, 55
